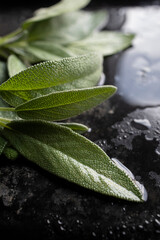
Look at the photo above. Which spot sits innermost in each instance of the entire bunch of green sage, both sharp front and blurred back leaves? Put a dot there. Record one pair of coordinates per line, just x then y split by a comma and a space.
68, 48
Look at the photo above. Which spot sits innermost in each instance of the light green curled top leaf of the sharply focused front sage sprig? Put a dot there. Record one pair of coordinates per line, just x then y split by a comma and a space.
44, 77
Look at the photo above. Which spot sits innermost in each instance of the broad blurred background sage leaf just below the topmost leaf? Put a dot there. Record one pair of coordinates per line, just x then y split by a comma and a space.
68, 27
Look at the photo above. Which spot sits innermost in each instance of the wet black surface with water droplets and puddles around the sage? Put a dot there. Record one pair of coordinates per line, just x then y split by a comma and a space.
37, 205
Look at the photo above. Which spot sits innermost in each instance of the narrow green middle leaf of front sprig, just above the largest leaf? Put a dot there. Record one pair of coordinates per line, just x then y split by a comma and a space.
62, 105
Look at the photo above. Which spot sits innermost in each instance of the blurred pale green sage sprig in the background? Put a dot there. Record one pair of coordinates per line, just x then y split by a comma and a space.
67, 31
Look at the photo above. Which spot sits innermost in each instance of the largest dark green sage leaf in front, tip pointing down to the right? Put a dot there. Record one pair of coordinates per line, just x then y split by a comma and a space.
71, 156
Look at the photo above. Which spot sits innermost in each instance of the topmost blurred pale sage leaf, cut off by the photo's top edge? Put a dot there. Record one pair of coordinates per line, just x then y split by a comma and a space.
60, 8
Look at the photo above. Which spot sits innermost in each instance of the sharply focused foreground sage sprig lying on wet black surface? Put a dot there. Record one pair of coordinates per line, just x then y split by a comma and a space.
55, 146
